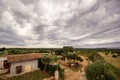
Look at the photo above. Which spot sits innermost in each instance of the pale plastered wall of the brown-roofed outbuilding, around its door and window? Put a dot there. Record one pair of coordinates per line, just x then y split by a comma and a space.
33, 63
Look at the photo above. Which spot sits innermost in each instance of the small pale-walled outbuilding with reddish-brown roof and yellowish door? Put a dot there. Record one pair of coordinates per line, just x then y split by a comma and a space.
23, 62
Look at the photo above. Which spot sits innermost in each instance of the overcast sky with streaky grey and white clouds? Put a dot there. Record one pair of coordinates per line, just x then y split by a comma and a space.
56, 23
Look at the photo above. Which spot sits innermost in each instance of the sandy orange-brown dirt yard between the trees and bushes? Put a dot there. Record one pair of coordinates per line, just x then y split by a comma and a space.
74, 73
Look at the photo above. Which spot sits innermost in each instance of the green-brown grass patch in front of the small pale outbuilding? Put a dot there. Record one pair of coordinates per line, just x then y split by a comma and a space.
35, 75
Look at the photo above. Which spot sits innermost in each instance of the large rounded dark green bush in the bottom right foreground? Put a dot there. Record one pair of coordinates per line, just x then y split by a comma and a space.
98, 71
